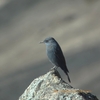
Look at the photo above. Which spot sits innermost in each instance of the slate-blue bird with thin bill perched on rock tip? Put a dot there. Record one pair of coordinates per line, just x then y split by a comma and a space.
55, 55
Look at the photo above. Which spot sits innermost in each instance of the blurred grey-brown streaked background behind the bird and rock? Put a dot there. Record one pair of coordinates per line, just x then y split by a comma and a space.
75, 24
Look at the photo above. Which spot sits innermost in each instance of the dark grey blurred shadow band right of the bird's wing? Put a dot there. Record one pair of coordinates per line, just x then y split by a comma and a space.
84, 58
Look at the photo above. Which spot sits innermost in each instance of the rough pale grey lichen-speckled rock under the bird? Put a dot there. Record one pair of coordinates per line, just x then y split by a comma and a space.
51, 87
